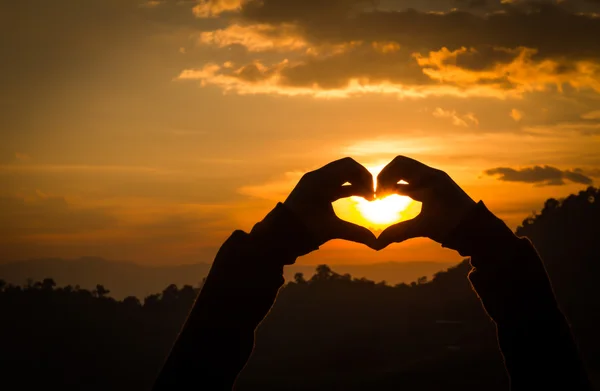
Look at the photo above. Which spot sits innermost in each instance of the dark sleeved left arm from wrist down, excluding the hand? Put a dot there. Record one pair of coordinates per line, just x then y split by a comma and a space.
218, 337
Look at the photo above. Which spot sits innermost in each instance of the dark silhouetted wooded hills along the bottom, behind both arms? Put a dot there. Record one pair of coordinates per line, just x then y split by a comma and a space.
327, 332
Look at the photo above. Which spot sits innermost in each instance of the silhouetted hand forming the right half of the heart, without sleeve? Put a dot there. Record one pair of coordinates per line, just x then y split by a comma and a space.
445, 204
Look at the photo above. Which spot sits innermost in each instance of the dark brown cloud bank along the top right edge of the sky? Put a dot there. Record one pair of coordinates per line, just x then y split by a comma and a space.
553, 29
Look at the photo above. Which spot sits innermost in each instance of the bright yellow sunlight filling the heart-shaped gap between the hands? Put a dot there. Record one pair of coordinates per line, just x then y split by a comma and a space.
380, 213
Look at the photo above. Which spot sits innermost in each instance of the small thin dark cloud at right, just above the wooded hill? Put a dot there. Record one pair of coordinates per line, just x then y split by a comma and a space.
540, 175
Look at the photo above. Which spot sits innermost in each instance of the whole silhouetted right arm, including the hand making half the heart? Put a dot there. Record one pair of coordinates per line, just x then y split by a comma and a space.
508, 275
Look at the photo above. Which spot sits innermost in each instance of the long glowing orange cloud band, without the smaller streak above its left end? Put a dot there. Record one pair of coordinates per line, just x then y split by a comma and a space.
348, 73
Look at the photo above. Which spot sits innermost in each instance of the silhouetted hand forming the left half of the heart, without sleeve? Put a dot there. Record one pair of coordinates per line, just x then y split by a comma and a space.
311, 200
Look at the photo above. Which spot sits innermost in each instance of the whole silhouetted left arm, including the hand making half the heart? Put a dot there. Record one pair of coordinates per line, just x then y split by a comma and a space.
242, 284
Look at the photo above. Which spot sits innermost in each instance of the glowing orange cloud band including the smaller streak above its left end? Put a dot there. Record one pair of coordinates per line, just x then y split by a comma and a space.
360, 68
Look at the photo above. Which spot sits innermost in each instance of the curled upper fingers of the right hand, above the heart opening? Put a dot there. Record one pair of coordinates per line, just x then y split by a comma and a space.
403, 168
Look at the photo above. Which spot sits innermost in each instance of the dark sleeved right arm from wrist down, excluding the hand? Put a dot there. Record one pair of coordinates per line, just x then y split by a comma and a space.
511, 281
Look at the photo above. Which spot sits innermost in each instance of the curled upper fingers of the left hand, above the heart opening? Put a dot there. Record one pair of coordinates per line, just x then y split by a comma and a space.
348, 170
